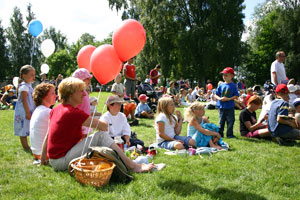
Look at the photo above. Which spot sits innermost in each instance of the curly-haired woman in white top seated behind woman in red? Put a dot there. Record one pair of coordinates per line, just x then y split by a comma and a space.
43, 96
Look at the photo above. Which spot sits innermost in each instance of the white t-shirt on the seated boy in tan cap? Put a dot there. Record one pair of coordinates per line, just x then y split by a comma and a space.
117, 125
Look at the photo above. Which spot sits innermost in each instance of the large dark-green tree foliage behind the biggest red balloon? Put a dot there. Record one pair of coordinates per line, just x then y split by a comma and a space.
189, 38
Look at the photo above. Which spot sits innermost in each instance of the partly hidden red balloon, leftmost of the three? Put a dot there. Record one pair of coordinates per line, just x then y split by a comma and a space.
84, 56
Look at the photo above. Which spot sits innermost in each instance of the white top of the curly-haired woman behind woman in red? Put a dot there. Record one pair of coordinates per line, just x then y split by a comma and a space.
38, 128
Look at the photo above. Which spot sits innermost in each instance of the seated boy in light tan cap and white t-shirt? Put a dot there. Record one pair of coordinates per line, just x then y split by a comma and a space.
117, 121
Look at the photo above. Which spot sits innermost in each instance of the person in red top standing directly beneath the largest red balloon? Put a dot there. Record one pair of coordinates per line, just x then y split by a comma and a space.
129, 74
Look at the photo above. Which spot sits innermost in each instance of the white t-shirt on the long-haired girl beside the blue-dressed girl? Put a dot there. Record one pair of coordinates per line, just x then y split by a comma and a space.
169, 128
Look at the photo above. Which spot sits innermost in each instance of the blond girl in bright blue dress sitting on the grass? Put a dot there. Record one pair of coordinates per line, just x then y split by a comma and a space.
194, 114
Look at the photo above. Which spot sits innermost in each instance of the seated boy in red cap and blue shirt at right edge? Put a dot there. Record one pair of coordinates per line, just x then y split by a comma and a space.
279, 127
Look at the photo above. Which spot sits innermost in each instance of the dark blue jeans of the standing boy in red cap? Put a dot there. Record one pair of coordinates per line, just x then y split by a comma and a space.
226, 115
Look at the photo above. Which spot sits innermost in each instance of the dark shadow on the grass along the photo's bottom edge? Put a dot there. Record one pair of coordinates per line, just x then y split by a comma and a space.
185, 189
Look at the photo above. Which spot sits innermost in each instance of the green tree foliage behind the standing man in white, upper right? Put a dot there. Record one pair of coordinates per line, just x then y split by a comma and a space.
276, 28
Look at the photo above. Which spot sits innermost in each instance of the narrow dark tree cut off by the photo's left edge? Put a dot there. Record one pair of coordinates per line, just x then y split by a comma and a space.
4, 61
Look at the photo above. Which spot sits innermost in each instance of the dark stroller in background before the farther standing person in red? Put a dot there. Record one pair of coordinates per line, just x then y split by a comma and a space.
147, 89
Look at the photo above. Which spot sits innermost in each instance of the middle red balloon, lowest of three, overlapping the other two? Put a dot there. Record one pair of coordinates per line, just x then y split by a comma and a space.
105, 63
